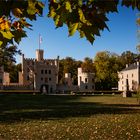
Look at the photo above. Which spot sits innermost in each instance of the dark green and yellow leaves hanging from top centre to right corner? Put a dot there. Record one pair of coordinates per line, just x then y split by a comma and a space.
88, 17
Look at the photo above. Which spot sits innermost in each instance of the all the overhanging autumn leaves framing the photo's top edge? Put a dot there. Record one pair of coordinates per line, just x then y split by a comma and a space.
88, 17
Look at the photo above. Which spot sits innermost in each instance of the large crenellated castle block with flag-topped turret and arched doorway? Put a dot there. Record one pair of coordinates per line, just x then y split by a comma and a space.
40, 73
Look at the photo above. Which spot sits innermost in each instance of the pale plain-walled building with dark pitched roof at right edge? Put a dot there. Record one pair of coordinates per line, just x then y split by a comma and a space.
129, 78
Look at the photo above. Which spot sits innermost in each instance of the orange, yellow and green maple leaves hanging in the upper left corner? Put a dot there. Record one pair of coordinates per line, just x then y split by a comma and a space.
13, 21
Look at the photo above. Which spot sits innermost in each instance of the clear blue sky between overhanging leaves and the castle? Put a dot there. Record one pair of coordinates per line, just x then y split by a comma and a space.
122, 37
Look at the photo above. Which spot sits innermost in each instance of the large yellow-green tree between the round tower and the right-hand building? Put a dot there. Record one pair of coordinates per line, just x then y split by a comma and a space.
107, 65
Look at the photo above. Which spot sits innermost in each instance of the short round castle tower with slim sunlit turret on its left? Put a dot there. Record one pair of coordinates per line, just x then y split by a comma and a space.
85, 80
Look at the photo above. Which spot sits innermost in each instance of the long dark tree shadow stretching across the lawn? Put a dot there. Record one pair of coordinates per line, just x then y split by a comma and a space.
13, 108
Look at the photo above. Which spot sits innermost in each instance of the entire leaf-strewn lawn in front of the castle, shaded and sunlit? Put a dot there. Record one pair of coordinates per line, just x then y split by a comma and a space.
41, 117
